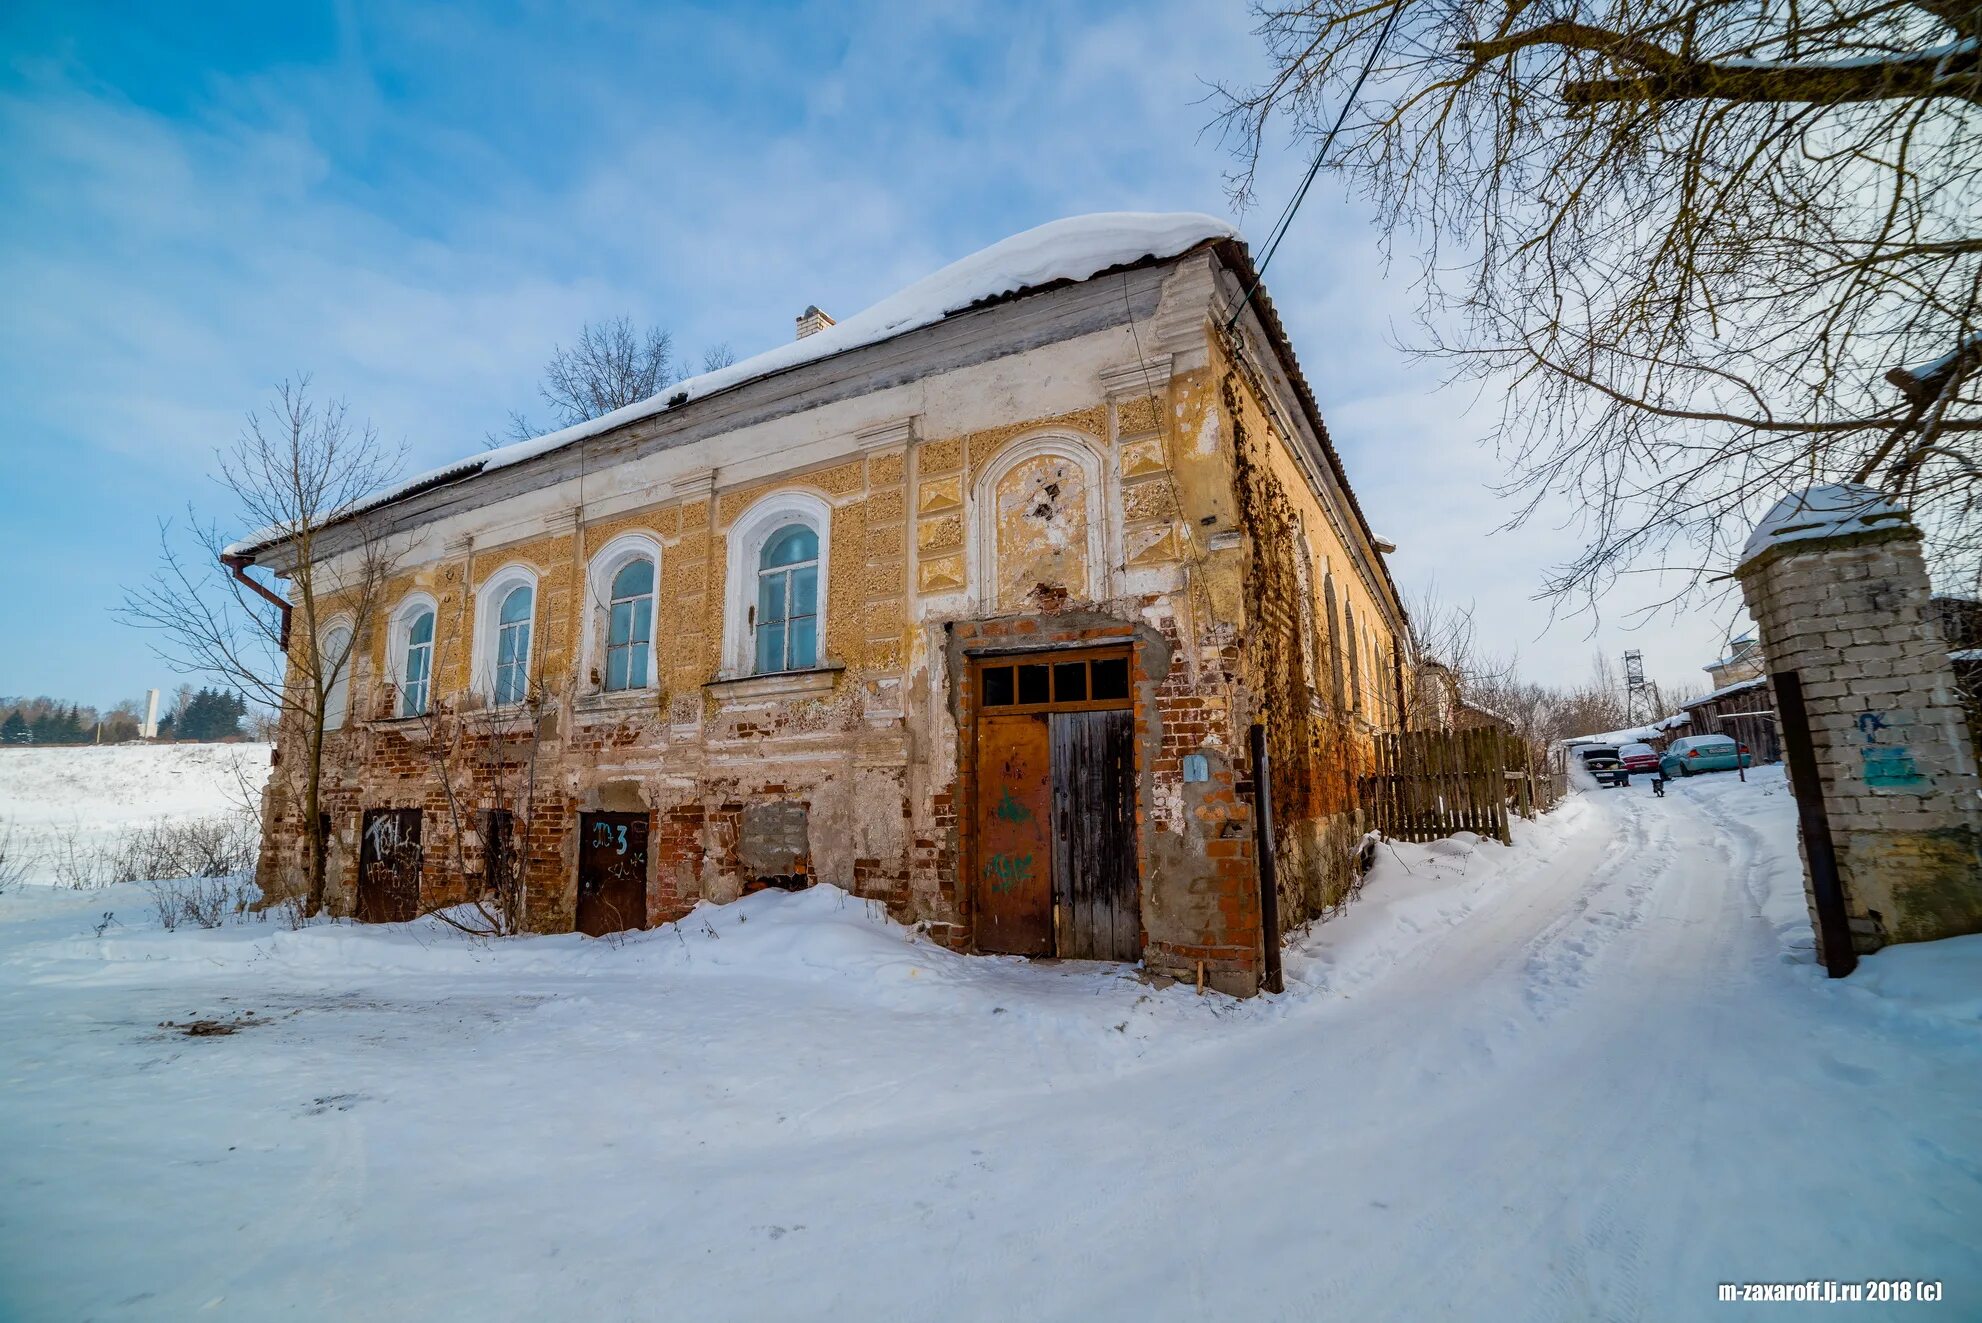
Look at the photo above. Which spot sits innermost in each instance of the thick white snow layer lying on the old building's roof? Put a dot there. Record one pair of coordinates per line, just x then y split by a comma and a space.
1063, 251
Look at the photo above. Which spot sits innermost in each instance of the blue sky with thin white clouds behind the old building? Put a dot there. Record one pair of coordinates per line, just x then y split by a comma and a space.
413, 205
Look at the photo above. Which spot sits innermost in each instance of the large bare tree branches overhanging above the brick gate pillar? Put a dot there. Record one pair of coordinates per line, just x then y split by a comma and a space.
1700, 243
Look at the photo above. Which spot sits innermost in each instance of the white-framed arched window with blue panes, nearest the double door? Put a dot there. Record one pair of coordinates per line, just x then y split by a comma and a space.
778, 585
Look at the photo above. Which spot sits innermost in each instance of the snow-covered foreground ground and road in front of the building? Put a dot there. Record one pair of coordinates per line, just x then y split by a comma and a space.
1587, 1078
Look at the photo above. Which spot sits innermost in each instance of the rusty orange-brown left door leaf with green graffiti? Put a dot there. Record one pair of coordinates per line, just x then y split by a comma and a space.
1014, 861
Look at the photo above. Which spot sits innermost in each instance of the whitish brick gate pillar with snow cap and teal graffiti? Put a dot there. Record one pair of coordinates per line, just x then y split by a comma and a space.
1836, 581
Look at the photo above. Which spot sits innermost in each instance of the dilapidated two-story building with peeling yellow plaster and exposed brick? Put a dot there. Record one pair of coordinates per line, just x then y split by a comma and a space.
964, 605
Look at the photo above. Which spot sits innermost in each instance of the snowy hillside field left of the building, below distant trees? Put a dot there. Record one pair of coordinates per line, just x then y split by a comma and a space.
96, 795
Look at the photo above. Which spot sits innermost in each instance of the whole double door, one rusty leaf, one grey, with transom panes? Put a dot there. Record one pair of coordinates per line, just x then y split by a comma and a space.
1055, 821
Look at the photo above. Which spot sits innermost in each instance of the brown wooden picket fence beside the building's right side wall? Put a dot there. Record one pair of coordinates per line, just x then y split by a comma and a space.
1426, 785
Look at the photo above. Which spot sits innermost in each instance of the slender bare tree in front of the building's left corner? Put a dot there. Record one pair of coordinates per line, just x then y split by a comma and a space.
288, 476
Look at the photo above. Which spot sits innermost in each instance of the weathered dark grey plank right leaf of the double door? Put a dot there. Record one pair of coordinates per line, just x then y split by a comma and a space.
1095, 835
